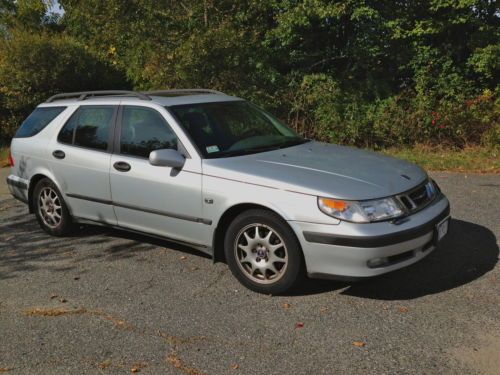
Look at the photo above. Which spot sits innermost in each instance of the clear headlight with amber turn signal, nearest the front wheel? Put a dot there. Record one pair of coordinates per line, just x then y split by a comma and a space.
360, 211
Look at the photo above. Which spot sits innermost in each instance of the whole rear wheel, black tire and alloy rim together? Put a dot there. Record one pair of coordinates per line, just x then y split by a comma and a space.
50, 209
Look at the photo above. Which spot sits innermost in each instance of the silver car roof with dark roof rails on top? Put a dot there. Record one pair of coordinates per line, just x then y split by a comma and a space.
161, 97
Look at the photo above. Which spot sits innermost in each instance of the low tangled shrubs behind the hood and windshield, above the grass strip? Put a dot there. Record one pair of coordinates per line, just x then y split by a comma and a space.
320, 109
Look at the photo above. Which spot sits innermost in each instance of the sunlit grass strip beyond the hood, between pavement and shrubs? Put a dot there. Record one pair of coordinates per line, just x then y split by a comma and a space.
472, 159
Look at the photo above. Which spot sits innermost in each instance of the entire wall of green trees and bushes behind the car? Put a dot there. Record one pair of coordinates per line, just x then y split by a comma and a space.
363, 72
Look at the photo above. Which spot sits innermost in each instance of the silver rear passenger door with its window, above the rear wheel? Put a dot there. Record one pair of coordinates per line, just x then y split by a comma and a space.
80, 161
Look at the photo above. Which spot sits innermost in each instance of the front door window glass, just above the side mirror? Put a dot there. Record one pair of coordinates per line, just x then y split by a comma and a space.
144, 130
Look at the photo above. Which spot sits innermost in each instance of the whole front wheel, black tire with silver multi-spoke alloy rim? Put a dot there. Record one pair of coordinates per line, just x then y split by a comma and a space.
289, 274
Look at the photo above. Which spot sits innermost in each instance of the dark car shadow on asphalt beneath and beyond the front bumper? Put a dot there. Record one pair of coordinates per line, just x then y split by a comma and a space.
468, 252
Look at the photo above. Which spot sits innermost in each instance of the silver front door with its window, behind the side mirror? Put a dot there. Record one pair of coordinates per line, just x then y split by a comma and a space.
158, 200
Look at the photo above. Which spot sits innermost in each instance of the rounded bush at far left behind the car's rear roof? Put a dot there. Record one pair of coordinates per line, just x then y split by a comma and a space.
34, 67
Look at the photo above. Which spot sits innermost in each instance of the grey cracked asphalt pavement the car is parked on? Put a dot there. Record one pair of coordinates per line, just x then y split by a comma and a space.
106, 301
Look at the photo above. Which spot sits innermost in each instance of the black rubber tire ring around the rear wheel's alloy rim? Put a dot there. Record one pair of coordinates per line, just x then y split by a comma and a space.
58, 227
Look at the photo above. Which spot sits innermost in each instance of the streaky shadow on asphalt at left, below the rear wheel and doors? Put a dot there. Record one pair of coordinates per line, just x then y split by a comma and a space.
24, 247
